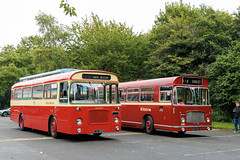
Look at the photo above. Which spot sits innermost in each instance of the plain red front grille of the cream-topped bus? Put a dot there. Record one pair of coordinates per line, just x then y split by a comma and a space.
98, 116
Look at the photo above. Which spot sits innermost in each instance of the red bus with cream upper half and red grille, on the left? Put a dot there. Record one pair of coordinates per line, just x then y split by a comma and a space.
67, 101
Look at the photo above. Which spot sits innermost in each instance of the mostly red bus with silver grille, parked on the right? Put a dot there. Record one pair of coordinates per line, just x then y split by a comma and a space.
173, 104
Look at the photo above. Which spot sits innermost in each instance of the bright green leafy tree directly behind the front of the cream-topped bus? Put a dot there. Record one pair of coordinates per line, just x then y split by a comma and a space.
107, 46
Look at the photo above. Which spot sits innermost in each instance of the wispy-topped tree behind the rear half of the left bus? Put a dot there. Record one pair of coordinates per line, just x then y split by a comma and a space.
46, 51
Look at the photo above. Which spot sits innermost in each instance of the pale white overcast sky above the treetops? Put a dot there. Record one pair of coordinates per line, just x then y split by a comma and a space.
17, 17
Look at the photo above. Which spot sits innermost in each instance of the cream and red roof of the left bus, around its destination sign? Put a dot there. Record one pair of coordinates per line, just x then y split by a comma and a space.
69, 75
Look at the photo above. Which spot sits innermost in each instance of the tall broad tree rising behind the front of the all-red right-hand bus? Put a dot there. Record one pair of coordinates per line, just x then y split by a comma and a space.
185, 40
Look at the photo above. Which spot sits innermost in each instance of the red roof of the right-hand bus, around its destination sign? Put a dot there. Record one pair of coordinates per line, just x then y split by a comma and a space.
163, 82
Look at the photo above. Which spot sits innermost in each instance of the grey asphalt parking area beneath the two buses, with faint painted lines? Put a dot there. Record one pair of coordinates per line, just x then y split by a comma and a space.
129, 144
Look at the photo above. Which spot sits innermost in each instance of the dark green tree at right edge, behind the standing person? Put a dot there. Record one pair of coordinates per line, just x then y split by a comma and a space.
223, 76
